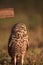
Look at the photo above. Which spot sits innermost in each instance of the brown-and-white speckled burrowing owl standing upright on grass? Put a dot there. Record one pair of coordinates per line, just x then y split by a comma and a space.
18, 42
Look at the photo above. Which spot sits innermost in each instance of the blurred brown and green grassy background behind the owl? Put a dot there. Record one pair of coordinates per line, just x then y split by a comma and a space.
29, 12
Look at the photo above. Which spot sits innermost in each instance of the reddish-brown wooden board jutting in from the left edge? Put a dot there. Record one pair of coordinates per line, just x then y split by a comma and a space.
6, 12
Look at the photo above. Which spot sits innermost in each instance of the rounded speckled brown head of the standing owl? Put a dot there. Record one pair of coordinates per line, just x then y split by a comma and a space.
19, 27
